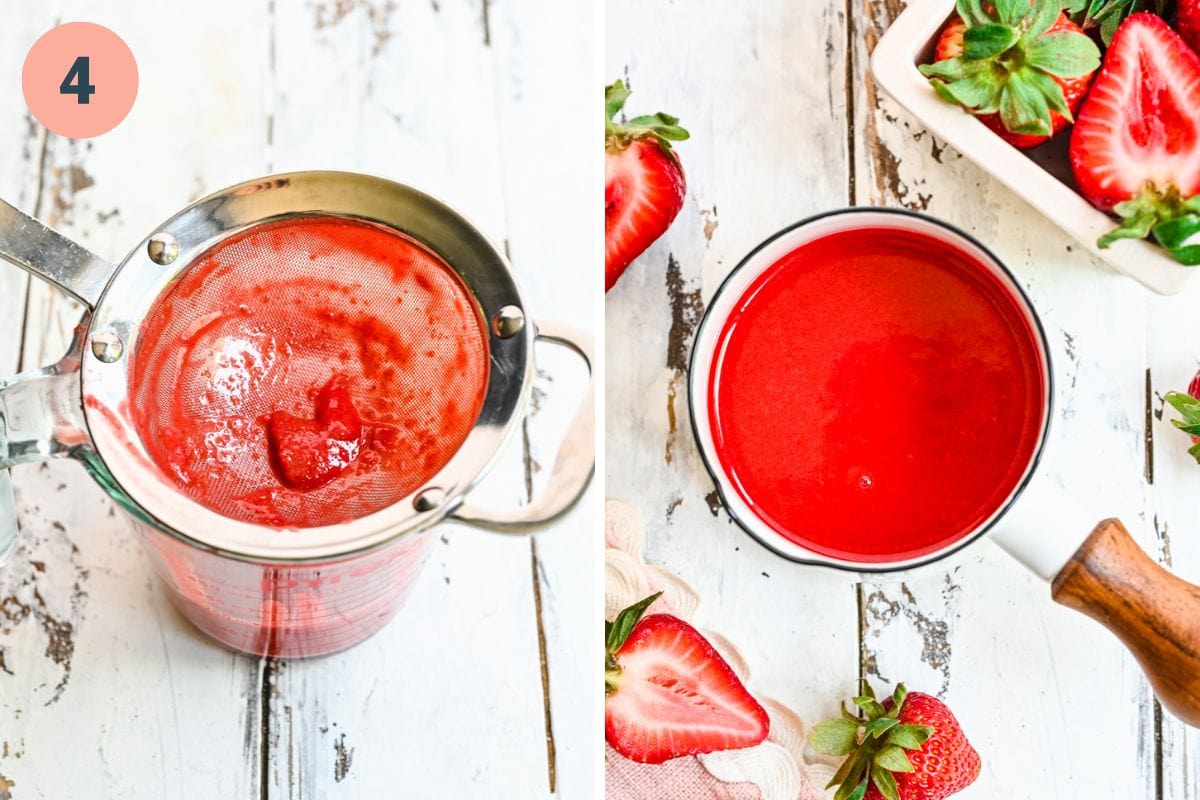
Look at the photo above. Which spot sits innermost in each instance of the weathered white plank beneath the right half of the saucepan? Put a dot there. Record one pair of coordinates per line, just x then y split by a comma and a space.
1023, 675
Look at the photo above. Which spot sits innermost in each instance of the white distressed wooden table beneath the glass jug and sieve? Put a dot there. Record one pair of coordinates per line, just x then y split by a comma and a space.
473, 691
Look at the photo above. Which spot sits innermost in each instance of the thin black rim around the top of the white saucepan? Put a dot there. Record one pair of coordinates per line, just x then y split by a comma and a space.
867, 569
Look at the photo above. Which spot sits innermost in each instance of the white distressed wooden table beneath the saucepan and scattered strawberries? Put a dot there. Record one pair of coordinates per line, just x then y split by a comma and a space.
787, 123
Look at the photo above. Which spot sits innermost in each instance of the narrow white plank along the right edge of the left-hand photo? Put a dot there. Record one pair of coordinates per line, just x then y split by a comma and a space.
548, 83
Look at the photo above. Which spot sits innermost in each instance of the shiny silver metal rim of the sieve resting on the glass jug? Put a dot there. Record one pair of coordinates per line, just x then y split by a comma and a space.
140, 280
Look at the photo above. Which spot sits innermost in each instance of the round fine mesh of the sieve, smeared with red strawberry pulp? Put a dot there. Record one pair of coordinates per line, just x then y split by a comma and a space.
308, 372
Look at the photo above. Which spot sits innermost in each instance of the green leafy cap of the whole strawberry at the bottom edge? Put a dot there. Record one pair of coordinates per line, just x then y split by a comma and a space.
874, 745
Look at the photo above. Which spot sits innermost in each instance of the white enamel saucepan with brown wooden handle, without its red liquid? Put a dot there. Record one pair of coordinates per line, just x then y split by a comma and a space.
1094, 567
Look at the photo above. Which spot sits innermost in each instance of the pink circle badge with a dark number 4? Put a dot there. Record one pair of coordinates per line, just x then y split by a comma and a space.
80, 80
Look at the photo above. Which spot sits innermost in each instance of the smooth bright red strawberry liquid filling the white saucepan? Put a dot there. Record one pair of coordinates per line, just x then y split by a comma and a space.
877, 395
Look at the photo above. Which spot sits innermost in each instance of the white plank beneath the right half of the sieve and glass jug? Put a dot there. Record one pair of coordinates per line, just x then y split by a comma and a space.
448, 700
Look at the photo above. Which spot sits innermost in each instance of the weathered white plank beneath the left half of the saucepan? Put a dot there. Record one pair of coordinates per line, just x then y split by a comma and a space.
763, 93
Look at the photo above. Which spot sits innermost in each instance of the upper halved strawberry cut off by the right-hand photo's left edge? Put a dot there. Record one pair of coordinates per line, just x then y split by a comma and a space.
645, 185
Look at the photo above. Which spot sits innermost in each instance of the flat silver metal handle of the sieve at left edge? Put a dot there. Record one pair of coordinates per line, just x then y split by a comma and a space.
52, 257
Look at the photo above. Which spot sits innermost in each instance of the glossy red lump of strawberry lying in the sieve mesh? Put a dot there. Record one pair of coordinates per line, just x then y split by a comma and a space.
309, 454
